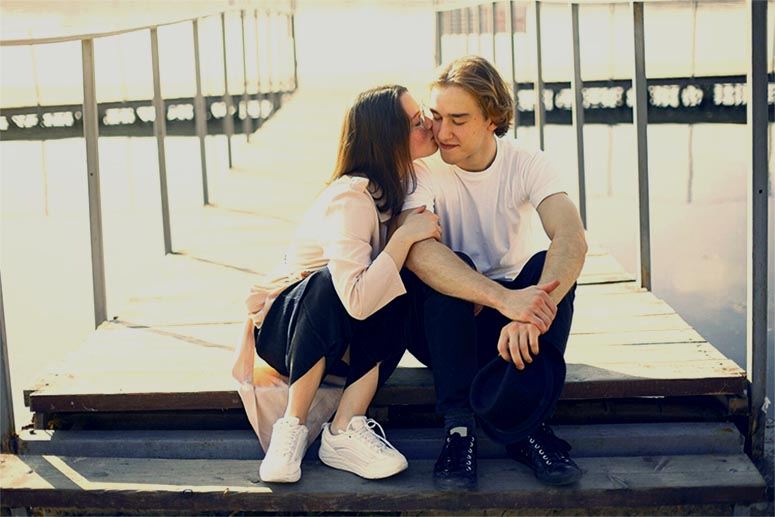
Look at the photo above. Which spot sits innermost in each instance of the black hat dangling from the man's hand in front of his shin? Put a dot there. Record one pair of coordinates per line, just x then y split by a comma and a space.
512, 403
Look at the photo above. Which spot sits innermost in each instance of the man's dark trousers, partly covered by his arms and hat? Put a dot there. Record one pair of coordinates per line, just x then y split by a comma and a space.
455, 344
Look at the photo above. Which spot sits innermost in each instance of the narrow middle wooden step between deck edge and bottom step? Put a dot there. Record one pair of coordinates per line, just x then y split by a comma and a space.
587, 441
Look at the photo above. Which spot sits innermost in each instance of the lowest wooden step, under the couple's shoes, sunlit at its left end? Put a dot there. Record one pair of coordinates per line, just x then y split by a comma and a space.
231, 485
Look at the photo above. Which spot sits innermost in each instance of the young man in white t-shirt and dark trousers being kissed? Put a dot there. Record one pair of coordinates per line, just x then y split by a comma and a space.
485, 298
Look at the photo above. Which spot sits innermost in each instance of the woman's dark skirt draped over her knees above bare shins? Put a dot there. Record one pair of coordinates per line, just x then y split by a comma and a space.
308, 322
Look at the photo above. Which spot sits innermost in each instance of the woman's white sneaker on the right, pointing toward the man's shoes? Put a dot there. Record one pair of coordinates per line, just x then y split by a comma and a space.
358, 449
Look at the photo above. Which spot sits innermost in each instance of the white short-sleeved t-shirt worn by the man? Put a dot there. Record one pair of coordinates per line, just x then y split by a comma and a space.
490, 215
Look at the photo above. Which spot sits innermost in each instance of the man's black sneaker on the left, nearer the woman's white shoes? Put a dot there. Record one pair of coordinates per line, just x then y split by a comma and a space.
456, 466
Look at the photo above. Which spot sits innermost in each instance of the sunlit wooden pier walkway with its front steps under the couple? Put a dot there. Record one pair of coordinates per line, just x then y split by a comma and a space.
145, 415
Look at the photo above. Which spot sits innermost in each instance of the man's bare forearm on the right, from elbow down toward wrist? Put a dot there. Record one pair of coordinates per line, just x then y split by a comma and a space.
564, 261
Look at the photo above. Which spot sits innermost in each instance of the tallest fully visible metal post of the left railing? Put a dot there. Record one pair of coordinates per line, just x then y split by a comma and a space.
91, 135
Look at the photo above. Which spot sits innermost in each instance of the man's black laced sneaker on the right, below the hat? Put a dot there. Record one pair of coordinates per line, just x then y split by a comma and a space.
547, 456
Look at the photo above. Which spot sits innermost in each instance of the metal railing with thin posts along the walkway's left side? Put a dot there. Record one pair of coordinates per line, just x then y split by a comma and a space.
91, 136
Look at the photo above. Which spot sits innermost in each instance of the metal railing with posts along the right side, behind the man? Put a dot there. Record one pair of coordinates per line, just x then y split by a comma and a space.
456, 11
